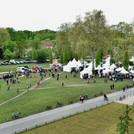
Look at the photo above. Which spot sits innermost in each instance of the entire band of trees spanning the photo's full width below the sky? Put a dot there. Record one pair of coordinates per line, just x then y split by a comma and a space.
87, 36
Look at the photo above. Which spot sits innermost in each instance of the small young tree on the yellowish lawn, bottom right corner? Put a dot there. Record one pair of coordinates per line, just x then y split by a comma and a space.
124, 123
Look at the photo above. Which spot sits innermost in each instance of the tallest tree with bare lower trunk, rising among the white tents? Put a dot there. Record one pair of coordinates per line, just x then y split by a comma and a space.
95, 31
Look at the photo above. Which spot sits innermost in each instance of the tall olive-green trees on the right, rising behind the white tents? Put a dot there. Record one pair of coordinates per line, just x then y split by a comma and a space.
92, 36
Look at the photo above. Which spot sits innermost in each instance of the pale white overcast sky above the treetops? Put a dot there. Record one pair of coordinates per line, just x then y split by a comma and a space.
50, 14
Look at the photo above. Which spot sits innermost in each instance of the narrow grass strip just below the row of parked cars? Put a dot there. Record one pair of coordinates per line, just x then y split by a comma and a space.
6, 68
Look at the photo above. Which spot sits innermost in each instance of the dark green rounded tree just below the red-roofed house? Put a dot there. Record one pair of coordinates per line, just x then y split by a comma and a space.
42, 54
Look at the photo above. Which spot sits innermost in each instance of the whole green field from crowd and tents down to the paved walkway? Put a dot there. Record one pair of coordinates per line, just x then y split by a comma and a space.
50, 92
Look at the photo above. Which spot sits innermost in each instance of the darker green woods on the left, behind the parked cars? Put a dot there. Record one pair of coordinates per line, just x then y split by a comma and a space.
17, 44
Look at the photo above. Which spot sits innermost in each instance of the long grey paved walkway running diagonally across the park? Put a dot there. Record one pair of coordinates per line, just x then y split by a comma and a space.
55, 114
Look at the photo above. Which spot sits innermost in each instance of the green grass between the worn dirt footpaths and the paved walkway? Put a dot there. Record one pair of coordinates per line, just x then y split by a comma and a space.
34, 99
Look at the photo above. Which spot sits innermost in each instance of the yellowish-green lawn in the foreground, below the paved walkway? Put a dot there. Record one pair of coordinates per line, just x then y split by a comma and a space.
102, 120
